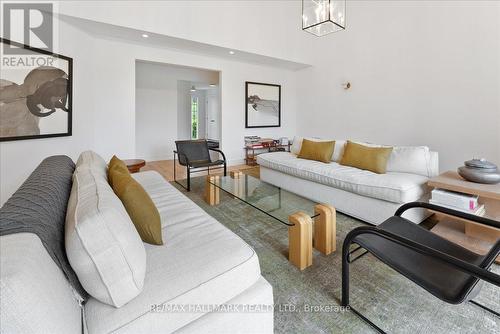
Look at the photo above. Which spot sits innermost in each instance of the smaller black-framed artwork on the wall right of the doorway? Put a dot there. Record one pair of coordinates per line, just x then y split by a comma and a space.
262, 105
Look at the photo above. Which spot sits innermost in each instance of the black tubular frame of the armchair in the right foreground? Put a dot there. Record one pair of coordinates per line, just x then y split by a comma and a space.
474, 270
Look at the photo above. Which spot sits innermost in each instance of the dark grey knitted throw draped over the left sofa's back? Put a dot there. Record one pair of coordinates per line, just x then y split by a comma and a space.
39, 206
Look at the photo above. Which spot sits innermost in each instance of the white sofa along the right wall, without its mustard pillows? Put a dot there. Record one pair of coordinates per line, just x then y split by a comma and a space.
359, 193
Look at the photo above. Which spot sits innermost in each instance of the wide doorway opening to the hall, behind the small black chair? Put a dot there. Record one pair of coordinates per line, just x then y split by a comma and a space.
174, 102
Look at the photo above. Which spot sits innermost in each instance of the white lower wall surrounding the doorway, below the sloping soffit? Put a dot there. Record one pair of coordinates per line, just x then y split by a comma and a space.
104, 88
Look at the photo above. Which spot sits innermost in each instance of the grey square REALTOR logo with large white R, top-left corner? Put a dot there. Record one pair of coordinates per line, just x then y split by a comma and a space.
28, 23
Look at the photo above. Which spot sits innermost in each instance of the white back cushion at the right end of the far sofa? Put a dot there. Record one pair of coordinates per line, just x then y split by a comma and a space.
410, 159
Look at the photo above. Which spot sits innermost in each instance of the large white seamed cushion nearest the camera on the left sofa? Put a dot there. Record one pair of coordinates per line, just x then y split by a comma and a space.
102, 245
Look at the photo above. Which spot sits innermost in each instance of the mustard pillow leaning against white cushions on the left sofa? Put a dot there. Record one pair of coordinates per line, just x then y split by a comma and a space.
139, 206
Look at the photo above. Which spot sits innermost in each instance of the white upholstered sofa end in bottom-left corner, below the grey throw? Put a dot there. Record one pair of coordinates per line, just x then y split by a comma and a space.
35, 296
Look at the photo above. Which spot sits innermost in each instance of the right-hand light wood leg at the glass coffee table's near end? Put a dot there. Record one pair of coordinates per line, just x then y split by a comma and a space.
325, 228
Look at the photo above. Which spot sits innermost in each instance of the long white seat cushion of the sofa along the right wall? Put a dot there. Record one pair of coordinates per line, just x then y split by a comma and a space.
392, 187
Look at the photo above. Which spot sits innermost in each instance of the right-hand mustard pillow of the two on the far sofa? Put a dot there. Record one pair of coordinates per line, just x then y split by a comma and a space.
365, 157
